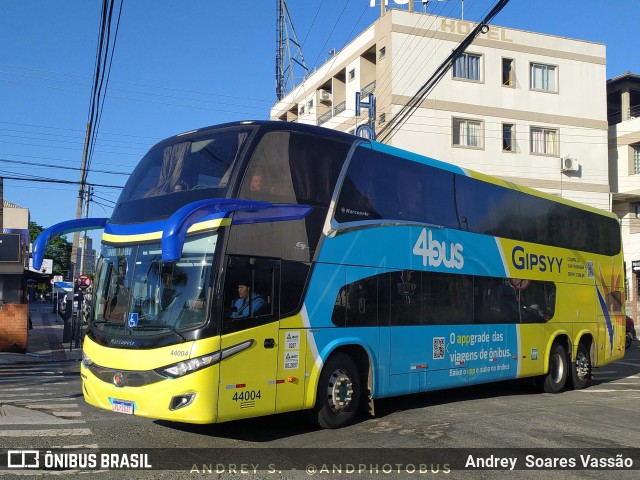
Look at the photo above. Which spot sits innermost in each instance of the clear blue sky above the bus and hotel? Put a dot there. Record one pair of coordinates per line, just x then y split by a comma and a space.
185, 64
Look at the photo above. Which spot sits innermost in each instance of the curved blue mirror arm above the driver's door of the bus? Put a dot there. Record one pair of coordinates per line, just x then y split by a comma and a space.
176, 227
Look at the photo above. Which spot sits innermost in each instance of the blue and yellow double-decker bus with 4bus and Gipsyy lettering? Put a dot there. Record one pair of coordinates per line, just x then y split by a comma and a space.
261, 267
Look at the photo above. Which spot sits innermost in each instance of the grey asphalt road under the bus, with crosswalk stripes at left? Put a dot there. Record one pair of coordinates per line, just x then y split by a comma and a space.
508, 419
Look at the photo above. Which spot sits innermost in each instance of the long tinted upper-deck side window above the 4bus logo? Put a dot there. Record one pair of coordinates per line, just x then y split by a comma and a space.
380, 186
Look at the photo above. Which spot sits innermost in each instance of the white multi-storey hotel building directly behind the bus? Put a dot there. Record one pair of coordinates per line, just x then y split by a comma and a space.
519, 105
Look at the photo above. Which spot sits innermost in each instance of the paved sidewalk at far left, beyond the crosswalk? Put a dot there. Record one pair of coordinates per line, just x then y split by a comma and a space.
44, 343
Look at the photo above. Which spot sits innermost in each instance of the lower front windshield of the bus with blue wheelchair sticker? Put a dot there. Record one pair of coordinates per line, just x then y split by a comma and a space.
138, 294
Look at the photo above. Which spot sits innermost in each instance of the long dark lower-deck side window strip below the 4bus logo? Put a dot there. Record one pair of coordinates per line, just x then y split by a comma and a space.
411, 297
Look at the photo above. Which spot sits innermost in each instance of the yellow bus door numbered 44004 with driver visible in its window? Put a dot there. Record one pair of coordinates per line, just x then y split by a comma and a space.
247, 386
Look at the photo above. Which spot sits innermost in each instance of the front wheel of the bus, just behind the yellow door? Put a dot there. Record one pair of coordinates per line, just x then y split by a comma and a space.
338, 396
